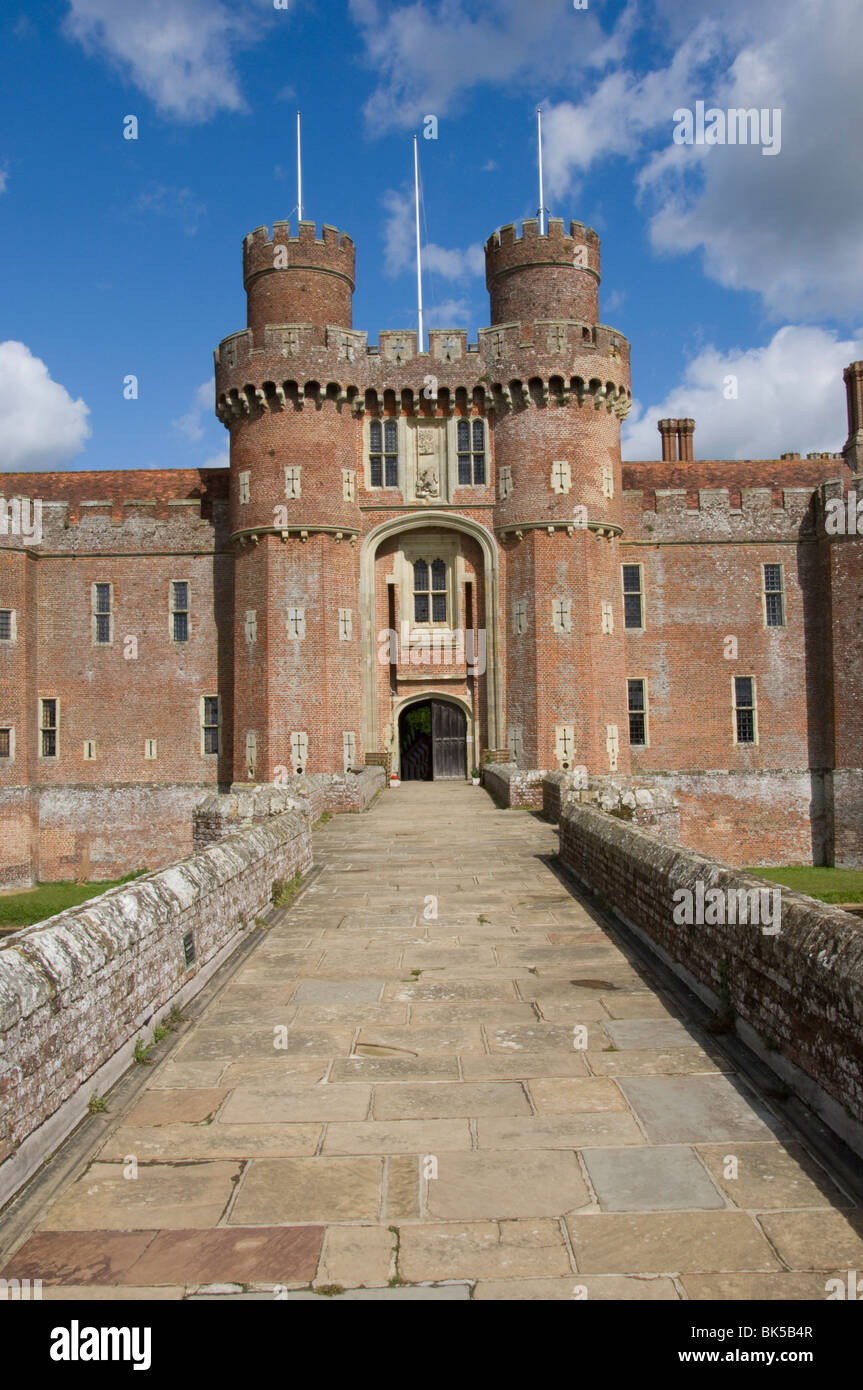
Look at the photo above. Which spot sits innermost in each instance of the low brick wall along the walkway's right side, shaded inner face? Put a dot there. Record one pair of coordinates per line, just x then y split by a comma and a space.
797, 997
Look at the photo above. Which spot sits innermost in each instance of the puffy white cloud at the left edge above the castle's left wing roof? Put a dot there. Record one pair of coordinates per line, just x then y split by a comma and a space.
41, 426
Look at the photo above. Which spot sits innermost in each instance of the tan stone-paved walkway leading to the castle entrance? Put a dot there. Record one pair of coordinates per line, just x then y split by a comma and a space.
441, 1067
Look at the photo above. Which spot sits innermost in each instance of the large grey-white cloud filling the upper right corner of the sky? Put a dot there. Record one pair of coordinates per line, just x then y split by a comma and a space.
787, 227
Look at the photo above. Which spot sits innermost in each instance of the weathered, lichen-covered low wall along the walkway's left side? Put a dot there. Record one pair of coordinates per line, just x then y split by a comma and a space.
80, 990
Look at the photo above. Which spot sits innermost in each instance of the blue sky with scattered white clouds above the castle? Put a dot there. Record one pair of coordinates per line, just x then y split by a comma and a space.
124, 256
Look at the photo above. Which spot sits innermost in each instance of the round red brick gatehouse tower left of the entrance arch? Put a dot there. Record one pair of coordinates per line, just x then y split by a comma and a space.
286, 390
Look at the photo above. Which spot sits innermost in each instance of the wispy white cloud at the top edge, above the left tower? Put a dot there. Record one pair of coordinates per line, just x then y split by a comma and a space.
180, 54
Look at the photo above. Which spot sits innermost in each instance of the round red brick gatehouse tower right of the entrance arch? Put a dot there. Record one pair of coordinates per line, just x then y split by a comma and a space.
561, 383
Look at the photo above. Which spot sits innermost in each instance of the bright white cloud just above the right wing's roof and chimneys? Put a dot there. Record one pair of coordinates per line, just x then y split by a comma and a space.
791, 400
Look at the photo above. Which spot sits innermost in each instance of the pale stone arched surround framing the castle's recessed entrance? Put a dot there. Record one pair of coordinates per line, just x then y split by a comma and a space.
494, 710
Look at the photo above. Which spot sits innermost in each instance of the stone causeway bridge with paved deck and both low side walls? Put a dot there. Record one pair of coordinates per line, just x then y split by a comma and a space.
444, 1071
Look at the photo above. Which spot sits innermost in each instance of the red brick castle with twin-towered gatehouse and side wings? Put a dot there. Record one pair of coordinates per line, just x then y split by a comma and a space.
427, 561
